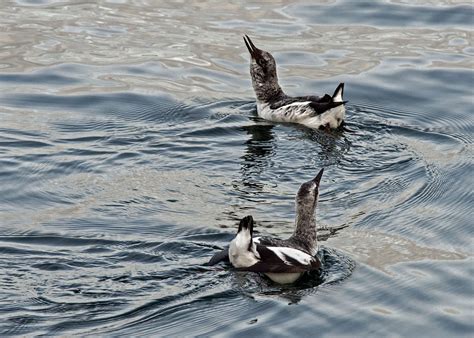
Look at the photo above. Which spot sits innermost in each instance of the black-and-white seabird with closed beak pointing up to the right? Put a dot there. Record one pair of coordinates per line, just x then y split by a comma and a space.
283, 261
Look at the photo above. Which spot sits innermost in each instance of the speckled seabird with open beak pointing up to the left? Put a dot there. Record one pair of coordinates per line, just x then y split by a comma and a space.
326, 112
